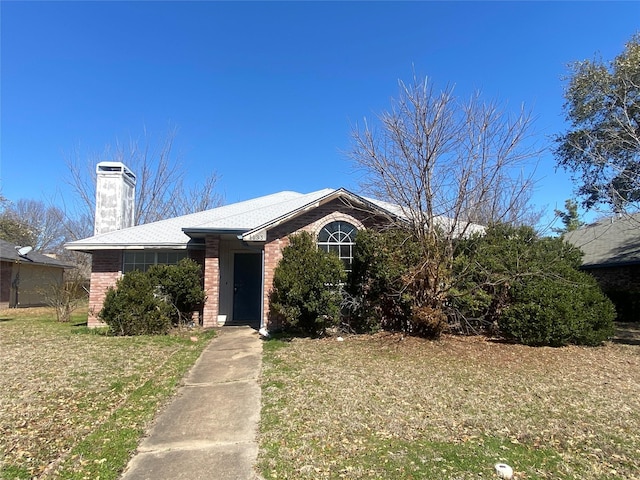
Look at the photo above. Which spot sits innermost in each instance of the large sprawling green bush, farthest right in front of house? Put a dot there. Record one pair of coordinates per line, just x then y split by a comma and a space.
531, 288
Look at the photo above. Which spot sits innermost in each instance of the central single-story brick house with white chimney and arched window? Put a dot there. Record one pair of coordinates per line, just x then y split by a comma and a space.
238, 245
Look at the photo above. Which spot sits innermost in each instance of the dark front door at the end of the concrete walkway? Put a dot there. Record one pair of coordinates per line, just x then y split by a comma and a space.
247, 289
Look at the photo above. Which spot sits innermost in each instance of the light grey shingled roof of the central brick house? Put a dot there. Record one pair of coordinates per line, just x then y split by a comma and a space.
249, 220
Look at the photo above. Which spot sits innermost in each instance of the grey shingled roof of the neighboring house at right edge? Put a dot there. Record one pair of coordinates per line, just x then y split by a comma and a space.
611, 242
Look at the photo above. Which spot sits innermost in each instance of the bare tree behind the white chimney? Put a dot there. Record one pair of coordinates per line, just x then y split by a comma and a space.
160, 183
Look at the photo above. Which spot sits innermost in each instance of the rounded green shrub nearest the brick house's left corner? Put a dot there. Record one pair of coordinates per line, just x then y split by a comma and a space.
134, 308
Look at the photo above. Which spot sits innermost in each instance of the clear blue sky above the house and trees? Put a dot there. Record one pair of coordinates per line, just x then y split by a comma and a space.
265, 93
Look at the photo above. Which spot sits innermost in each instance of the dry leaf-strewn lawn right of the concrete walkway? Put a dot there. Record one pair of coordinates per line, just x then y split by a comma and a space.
388, 407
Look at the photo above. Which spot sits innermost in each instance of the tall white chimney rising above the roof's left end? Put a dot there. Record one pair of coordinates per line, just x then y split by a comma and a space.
115, 197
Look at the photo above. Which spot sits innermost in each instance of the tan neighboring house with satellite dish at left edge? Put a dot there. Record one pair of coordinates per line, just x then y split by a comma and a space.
26, 275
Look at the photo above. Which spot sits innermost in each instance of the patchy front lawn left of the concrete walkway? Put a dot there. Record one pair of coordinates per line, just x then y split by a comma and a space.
73, 402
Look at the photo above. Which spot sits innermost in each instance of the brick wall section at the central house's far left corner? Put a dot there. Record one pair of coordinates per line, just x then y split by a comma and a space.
106, 269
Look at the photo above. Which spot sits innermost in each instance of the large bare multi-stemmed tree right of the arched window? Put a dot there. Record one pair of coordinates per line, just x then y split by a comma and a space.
449, 165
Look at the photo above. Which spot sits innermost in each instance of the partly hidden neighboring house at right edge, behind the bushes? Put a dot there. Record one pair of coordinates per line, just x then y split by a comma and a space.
611, 250
